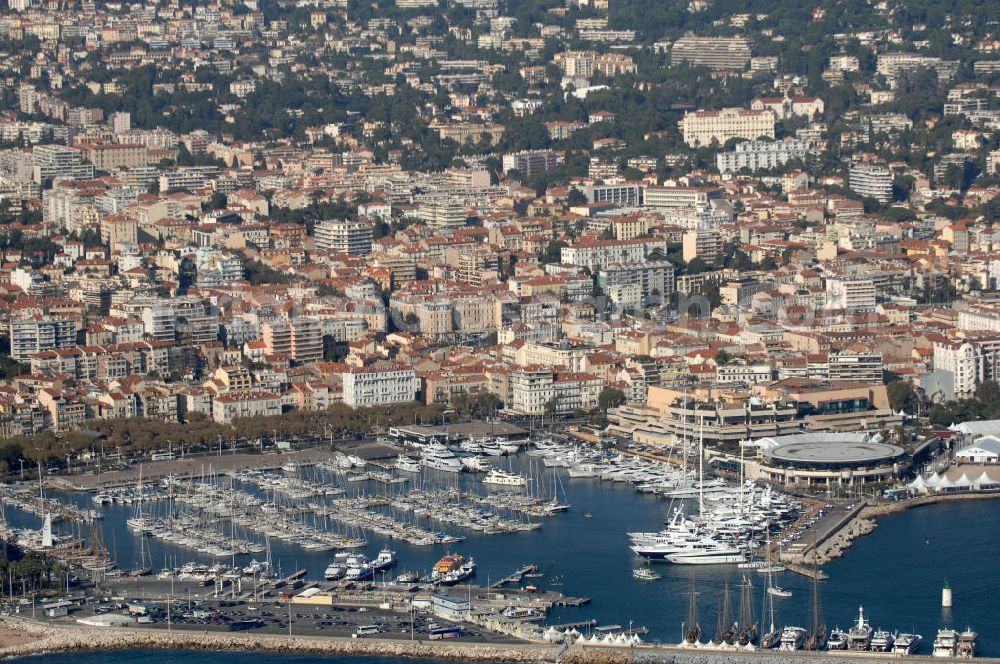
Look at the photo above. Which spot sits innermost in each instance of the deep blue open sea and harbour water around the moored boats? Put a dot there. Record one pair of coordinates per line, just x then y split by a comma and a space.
896, 573
